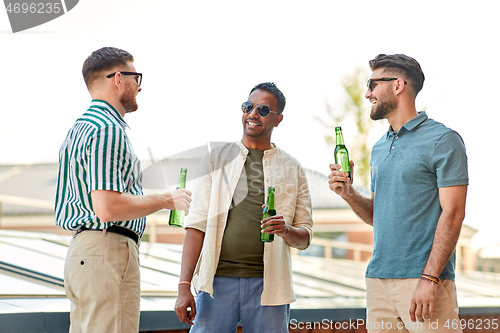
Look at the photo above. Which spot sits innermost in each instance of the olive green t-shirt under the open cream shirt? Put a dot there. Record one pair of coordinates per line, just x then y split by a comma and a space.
241, 250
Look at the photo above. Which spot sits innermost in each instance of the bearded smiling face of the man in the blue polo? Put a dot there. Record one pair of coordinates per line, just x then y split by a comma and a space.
381, 96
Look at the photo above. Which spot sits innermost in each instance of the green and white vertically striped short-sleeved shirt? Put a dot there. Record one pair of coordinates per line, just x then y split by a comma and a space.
96, 155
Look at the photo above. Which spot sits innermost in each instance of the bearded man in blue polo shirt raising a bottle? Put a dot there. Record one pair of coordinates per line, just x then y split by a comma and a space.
419, 184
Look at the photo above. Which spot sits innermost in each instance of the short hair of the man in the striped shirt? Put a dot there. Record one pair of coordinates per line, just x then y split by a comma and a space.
105, 58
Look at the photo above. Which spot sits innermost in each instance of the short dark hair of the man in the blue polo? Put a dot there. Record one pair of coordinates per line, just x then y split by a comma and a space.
401, 64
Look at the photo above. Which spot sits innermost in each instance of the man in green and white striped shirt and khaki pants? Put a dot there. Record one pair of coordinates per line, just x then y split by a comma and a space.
99, 197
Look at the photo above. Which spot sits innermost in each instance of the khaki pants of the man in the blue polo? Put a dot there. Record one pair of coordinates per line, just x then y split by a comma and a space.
388, 307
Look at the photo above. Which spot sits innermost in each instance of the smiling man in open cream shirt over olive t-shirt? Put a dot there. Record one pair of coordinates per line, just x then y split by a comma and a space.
237, 277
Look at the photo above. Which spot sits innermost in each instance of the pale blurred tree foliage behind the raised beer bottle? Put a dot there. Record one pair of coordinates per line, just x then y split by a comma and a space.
354, 109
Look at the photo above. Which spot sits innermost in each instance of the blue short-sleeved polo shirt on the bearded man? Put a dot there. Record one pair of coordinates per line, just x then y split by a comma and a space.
407, 170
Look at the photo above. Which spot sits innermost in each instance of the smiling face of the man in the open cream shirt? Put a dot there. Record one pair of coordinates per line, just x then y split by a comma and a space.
257, 130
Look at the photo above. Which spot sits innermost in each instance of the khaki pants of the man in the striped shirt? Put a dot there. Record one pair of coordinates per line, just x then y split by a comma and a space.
102, 281
